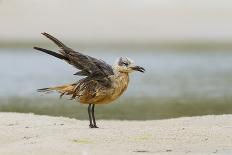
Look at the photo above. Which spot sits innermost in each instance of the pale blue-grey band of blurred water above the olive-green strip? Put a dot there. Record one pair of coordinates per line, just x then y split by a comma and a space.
168, 74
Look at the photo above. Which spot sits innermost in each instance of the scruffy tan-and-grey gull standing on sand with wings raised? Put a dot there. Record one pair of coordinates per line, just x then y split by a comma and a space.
101, 83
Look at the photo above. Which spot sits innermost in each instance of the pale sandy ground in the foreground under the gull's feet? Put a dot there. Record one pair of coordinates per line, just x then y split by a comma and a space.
32, 134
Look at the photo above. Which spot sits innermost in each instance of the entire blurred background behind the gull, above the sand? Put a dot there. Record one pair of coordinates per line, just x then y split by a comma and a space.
185, 46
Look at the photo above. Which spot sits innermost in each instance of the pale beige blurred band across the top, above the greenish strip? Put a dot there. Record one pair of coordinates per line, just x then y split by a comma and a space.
117, 20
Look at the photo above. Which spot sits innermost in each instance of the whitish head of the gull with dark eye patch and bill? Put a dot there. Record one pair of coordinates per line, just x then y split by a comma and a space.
126, 65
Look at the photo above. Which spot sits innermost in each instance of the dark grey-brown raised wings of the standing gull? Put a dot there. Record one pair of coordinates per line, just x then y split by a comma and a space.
88, 66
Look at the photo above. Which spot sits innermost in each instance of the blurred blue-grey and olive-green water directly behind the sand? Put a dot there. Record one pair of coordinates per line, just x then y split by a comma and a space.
172, 79
